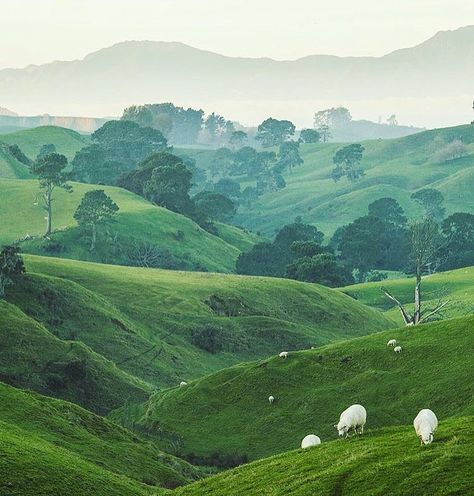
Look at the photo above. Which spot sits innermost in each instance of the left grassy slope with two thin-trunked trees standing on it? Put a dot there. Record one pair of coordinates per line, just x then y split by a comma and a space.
137, 222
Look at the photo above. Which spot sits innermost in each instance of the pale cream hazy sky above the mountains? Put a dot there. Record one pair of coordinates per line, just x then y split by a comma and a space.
38, 31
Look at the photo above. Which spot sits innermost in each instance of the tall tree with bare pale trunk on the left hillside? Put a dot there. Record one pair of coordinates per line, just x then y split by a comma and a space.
50, 172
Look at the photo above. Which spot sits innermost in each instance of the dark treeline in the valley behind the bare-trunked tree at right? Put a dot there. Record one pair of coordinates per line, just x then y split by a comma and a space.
382, 240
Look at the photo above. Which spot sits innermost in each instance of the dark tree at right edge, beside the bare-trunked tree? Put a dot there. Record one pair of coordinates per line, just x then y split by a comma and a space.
458, 231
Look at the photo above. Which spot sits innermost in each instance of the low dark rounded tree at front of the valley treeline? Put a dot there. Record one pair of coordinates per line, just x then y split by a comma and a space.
322, 269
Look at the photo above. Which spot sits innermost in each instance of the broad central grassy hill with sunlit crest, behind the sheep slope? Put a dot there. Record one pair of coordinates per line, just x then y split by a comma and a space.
143, 319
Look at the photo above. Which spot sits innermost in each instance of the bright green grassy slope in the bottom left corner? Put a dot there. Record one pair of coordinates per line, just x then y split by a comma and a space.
51, 447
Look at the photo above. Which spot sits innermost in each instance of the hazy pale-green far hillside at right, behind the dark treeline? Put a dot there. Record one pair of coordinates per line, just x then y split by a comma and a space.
395, 168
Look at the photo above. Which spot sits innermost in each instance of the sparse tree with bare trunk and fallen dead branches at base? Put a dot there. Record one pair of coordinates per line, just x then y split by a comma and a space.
426, 246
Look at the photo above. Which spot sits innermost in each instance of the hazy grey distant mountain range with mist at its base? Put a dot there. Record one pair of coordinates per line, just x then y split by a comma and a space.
429, 84
